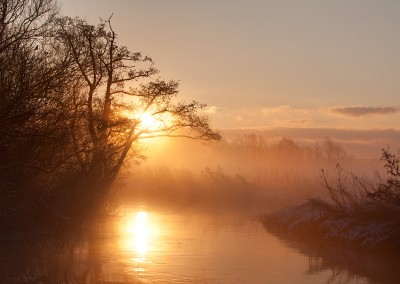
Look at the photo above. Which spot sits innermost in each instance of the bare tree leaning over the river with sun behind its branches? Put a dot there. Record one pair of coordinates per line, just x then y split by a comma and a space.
116, 110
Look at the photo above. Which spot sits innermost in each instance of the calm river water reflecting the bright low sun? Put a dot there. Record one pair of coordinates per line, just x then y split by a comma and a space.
154, 246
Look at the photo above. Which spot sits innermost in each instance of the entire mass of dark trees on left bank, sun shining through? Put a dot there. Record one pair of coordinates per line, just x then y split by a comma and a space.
74, 103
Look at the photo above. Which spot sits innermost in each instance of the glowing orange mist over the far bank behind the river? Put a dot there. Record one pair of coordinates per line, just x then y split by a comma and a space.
249, 173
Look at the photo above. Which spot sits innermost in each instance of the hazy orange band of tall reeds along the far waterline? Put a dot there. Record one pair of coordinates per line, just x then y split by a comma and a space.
215, 188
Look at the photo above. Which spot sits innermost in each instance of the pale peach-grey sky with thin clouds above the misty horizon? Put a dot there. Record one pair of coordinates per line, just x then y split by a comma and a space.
262, 64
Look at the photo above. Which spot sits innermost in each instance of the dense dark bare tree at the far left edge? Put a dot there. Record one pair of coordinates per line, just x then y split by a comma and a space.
34, 132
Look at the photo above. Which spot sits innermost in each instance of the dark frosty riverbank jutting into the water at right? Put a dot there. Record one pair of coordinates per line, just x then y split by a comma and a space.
319, 221
